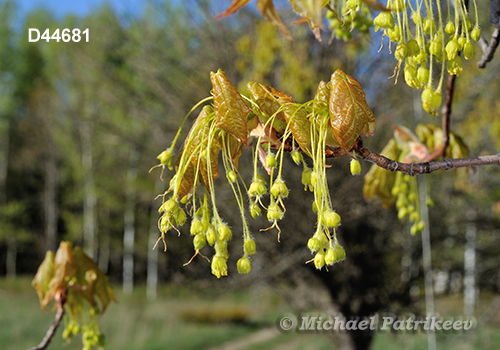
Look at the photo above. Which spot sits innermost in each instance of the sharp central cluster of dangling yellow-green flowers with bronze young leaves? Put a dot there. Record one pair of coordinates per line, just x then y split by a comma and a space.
272, 124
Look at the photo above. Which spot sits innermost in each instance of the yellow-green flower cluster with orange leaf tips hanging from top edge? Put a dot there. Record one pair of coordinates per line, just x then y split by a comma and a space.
429, 40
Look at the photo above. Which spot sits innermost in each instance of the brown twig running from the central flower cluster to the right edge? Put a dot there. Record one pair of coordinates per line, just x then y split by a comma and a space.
426, 167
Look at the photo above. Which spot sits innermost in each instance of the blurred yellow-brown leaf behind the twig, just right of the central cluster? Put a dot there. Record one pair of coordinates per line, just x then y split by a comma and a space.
378, 181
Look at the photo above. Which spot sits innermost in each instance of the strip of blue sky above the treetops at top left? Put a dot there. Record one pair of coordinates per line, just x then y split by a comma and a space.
80, 7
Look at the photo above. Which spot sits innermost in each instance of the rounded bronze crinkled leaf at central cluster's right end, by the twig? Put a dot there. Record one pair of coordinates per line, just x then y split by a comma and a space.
349, 113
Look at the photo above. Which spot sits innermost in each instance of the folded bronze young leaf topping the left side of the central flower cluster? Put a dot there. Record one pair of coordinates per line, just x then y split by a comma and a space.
231, 112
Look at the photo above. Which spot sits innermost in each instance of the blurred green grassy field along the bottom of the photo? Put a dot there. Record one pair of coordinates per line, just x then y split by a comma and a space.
183, 319
